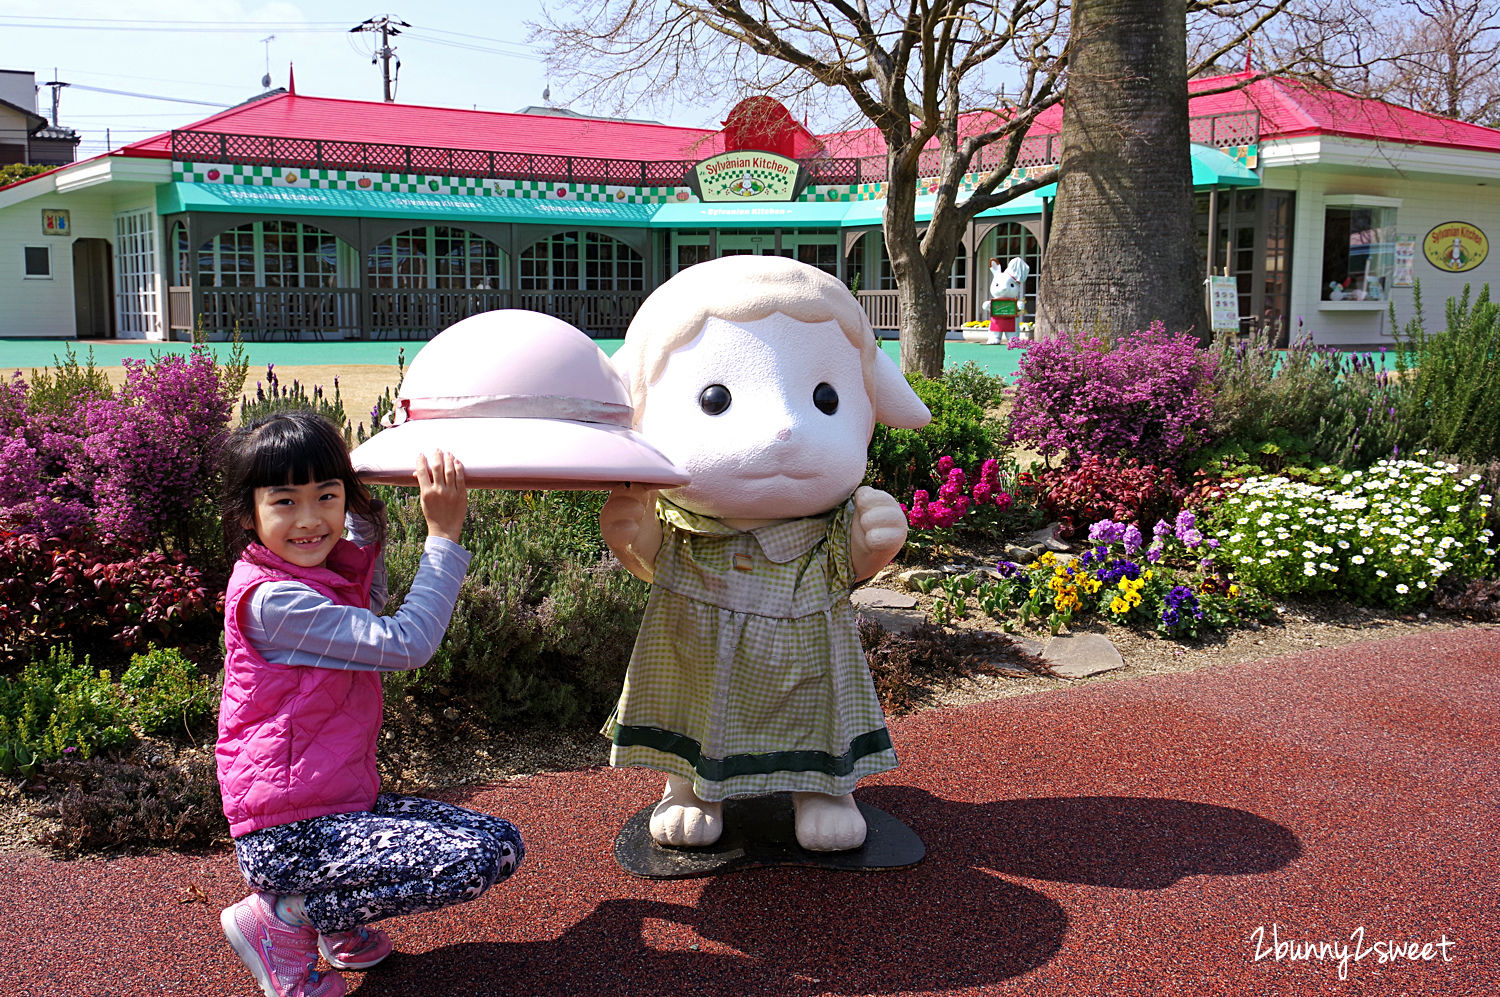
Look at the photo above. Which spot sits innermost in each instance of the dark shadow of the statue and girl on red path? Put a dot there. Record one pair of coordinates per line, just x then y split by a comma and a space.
952, 923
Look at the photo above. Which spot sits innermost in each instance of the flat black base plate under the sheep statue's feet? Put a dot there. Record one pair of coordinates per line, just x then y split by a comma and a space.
760, 833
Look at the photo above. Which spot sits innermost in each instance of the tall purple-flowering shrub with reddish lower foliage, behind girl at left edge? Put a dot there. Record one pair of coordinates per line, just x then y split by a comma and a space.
107, 516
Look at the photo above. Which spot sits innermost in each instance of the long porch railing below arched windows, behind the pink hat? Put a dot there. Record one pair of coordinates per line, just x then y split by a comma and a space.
386, 313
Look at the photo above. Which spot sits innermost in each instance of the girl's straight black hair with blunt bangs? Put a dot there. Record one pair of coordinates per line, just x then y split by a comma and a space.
292, 448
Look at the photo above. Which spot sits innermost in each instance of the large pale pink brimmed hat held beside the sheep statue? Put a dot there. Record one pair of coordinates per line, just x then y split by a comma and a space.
524, 401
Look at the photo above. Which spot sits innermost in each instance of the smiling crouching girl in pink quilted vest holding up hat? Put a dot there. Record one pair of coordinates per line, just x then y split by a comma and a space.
325, 851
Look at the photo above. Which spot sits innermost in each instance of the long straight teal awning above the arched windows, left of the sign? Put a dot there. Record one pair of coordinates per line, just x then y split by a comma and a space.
436, 208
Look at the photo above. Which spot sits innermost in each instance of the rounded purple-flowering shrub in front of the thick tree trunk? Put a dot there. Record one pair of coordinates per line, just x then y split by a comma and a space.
1147, 398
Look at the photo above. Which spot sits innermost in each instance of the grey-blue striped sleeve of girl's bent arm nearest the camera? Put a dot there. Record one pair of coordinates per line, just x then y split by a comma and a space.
289, 623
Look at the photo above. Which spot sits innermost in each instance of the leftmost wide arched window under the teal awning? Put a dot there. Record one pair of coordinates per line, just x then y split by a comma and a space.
275, 254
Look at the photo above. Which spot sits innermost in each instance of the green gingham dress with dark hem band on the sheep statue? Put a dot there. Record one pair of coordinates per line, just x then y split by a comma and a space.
748, 675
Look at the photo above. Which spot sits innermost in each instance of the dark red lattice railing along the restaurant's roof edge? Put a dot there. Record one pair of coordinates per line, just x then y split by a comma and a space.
1235, 128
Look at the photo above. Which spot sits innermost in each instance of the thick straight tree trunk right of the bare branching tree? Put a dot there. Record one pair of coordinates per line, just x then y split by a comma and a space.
1121, 253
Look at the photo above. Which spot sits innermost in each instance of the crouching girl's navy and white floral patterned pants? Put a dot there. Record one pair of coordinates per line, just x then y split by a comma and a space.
404, 857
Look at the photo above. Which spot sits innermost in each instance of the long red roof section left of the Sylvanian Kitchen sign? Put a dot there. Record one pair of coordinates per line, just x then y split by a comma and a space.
293, 116
